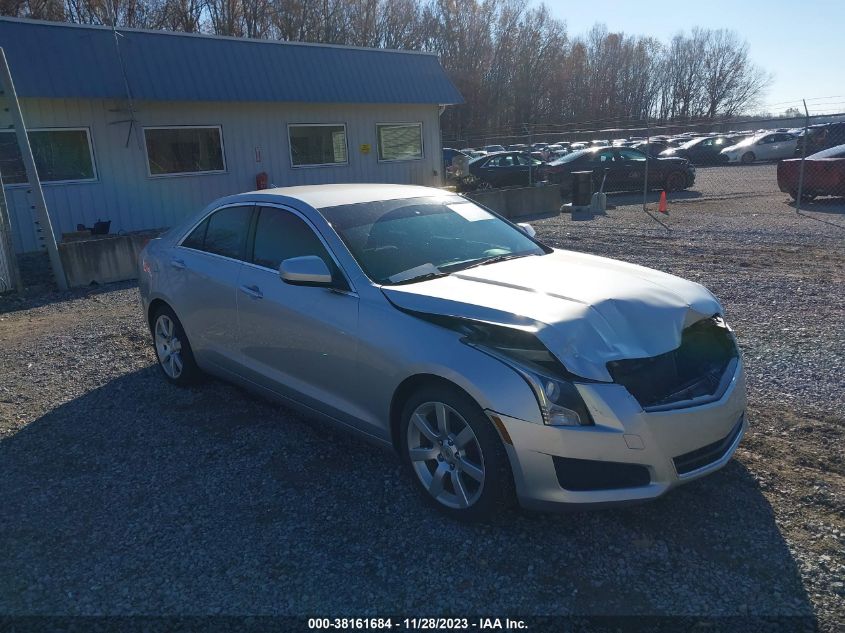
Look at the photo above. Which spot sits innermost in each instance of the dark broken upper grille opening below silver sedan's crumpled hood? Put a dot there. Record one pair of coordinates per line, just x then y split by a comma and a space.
693, 370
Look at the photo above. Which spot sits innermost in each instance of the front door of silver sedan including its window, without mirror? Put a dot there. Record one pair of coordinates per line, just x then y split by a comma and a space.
298, 341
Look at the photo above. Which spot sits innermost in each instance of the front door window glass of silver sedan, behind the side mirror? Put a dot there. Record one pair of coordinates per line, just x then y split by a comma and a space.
280, 235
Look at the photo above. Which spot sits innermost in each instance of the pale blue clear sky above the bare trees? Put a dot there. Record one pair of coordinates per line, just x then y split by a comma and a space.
802, 43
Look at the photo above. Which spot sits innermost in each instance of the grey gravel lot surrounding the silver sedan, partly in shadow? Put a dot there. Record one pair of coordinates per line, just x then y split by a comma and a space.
123, 495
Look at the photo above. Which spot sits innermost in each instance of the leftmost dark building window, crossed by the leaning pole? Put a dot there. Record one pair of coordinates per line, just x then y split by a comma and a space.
61, 155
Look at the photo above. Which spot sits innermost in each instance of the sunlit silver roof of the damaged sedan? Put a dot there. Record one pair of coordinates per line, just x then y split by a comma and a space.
323, 196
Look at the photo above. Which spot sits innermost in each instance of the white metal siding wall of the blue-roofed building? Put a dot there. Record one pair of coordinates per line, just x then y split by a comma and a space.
132, 200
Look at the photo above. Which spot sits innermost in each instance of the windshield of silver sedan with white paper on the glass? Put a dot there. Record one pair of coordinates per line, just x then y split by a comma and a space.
401, 241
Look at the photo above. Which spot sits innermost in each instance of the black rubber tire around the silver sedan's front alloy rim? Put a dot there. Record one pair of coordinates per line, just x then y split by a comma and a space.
497, 493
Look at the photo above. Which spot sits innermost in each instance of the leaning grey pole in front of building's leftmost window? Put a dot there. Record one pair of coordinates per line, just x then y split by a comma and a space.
40, 206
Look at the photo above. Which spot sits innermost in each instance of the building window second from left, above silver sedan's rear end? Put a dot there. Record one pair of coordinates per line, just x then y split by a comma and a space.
184, 150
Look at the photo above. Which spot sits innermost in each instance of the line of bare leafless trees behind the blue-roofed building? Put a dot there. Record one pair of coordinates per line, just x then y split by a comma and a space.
516, 65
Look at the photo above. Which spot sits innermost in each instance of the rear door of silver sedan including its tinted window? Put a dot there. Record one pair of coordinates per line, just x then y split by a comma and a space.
202, 277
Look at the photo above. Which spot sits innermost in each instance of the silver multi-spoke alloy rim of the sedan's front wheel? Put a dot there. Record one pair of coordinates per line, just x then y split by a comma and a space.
446, 455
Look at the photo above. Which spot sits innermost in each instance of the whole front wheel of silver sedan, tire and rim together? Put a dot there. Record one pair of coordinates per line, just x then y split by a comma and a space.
455, 455
